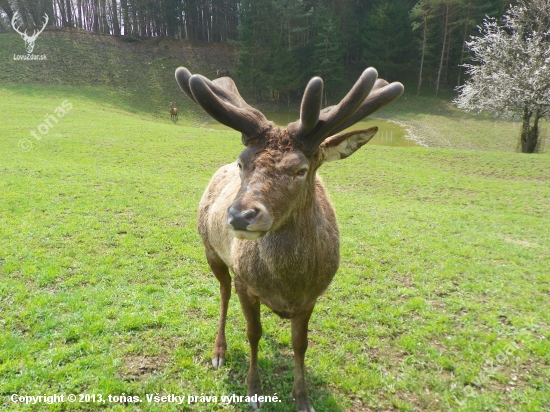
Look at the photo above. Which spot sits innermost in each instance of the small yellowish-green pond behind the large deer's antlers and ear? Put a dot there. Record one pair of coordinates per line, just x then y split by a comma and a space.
389, 134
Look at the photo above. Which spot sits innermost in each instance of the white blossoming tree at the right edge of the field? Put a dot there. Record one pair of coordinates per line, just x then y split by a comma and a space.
512, 78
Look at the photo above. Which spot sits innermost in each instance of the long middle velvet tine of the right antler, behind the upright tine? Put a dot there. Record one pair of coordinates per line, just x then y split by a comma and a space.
332, 117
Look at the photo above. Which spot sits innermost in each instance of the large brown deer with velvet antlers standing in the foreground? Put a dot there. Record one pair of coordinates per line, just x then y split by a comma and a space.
267, 217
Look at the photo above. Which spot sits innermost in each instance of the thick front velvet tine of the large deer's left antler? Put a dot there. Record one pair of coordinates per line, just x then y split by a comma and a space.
247, 120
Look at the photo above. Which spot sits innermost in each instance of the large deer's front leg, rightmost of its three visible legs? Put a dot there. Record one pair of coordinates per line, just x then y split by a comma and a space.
299, 345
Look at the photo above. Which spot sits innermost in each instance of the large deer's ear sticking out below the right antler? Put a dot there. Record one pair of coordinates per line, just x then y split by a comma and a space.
343, 145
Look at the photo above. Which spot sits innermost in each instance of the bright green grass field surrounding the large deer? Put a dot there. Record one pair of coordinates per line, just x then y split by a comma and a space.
441, 301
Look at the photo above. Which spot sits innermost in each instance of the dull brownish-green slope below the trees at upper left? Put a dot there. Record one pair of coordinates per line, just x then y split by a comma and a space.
140, 73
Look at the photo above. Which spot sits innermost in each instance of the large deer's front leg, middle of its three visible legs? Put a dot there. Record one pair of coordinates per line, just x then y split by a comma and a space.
251, 309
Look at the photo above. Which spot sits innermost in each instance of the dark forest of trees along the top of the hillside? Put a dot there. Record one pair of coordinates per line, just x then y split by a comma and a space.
284, 42
